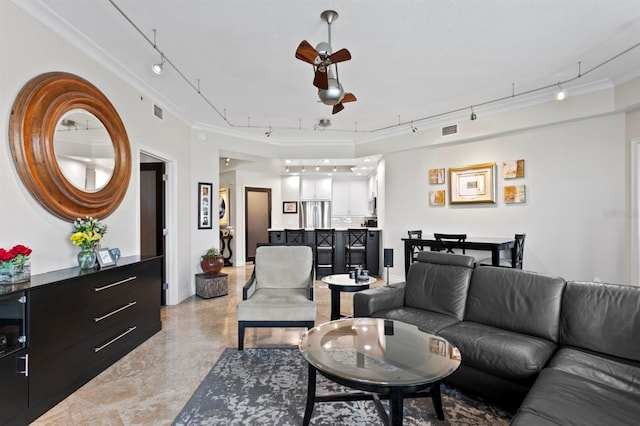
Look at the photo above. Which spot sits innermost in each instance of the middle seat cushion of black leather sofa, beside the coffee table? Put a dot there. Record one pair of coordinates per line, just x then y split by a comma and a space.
500, 352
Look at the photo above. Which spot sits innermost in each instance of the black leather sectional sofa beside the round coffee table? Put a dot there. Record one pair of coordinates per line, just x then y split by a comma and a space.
561, 352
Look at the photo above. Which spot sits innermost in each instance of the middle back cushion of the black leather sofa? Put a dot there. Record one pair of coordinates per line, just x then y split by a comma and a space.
515, 300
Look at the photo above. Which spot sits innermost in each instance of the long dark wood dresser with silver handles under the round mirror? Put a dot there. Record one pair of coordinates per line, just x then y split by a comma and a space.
81, 322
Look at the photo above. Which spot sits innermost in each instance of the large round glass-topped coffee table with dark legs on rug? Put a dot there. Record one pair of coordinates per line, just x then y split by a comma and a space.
386, 359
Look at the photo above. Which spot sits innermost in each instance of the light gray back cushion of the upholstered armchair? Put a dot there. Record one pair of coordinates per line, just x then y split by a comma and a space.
283, 266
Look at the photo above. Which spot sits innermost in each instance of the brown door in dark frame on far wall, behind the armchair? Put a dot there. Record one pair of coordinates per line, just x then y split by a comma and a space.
257, 218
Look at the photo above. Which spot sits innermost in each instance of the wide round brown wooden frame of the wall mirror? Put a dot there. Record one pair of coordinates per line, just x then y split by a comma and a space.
34, 117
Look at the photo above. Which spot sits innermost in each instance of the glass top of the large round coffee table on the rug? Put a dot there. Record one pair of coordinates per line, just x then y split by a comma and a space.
378, 351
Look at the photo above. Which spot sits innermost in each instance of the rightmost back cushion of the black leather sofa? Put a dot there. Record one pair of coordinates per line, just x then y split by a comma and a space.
613, 323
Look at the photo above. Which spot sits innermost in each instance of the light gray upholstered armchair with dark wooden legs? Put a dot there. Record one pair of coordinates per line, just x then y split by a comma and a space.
279, 292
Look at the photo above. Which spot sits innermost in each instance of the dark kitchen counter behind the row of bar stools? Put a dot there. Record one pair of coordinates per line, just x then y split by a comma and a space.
276, 236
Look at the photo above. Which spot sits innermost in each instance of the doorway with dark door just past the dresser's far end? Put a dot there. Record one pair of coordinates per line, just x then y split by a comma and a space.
152, 214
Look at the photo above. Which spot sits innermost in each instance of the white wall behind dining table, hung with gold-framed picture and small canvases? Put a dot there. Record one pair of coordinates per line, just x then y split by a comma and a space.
575, 183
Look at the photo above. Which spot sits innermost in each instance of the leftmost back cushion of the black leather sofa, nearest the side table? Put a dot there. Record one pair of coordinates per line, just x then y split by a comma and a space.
439, 282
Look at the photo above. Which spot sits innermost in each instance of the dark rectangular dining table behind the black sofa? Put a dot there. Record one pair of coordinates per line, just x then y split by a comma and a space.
495, 245
